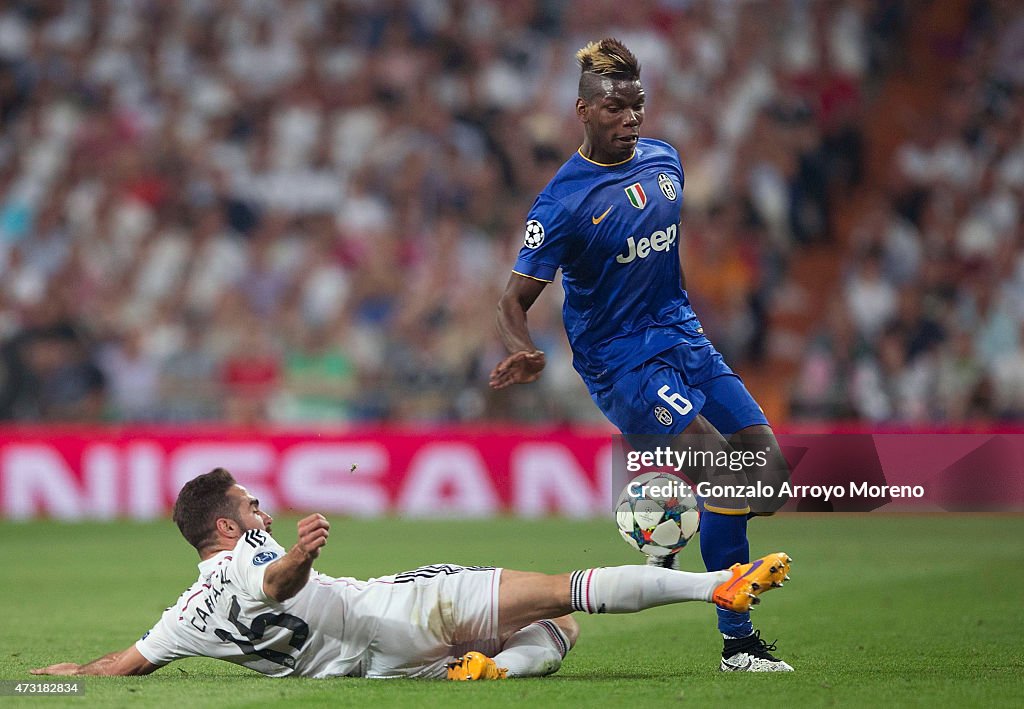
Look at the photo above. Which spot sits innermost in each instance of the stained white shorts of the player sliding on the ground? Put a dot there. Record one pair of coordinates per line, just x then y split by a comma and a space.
435, 614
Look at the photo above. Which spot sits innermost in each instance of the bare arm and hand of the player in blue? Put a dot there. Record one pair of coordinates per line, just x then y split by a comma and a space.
525, 362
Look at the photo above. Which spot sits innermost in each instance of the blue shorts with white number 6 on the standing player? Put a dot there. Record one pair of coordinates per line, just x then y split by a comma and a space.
664, 395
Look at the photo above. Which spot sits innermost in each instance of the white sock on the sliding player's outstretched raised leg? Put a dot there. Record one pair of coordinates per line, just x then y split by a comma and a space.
628, 590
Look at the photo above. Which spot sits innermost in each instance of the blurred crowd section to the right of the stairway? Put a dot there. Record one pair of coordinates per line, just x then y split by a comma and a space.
930, 322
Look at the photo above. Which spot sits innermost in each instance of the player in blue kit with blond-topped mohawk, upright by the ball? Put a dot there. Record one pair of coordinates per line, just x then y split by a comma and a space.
611, 221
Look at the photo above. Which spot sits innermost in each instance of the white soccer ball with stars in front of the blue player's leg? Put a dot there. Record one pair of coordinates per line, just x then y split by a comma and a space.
657, 514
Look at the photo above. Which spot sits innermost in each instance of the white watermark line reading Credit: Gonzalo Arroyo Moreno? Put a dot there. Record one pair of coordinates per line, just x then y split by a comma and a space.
667, 489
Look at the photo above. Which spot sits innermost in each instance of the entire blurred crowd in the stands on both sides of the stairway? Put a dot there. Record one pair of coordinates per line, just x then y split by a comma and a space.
305, 212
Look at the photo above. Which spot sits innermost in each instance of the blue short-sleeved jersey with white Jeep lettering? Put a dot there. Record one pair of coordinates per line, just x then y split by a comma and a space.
614, 231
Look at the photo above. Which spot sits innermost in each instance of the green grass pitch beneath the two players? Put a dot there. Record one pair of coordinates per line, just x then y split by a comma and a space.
892, 610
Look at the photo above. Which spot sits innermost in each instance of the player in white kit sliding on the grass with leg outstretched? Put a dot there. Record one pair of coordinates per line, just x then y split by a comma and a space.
267, 609
